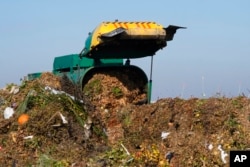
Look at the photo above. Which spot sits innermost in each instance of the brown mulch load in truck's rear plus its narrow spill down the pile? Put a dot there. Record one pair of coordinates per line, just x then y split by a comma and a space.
109, 92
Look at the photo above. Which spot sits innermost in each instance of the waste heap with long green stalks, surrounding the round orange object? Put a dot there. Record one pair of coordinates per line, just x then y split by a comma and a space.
46, 139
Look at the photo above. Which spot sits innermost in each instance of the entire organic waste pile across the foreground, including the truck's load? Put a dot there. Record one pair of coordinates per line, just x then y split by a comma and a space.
45, 122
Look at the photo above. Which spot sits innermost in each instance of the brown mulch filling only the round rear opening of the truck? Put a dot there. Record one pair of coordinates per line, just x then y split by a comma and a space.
108, 91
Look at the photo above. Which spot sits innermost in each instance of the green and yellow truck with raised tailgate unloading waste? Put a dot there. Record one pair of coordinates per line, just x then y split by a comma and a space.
108, 50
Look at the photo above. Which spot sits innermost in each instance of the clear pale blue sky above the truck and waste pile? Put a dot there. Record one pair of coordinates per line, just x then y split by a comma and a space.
210, 58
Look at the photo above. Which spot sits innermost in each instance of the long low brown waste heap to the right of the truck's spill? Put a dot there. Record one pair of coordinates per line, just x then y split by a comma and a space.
199, 132
